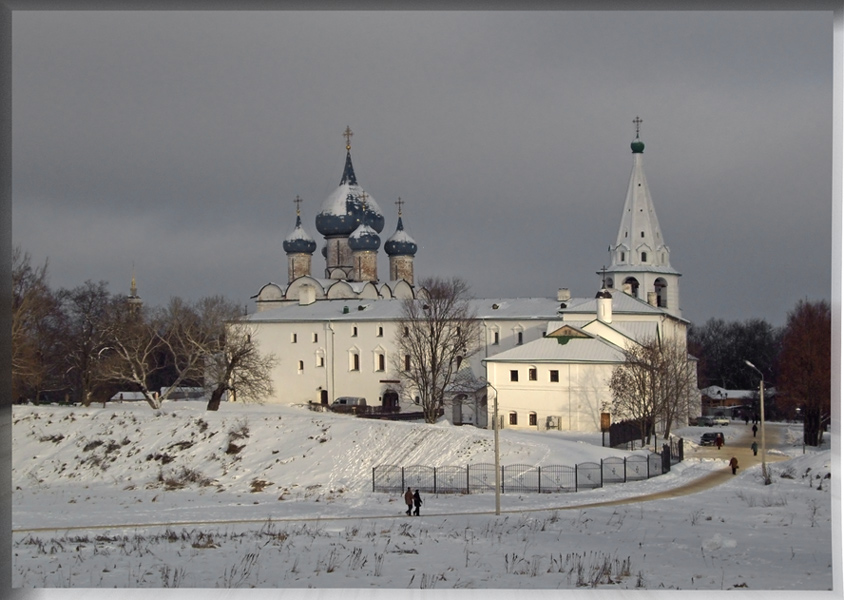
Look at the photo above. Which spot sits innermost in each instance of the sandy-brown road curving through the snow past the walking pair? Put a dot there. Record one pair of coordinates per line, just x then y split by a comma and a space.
738, 447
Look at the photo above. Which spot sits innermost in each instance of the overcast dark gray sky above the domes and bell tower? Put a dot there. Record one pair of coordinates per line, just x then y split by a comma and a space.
177, 142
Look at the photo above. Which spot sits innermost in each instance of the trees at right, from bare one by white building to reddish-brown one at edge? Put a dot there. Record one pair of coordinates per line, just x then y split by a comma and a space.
657, 382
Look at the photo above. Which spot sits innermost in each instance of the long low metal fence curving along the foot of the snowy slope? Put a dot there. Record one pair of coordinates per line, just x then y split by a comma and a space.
479, 478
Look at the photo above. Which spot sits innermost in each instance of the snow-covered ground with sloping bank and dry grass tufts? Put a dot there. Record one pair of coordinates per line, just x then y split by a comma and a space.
281, 497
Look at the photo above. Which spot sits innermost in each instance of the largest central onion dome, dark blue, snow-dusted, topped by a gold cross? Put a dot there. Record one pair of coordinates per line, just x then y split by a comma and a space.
345, 209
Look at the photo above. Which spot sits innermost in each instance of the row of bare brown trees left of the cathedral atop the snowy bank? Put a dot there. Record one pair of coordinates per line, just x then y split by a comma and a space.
84, 344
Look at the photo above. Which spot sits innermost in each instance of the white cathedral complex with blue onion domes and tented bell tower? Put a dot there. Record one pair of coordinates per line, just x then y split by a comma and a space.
548, 359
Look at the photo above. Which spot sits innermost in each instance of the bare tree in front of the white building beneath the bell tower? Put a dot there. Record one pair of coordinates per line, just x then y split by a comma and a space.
655, 383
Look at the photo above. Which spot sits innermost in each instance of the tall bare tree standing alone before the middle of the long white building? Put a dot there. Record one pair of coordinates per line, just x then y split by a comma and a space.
436, 333
